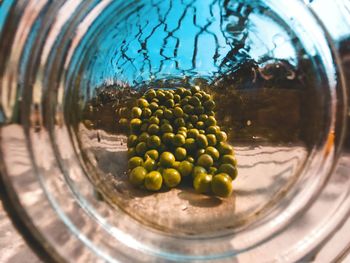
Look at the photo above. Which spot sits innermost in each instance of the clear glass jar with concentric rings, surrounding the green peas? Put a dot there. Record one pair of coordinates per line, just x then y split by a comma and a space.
279, 79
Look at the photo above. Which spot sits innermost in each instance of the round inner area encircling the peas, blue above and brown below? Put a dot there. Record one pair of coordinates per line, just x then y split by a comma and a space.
260, 75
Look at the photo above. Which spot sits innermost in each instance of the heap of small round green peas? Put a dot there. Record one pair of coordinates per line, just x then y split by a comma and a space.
174, 135
